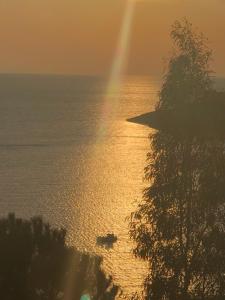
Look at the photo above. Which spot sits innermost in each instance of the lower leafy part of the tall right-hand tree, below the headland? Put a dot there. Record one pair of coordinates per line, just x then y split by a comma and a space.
180, 225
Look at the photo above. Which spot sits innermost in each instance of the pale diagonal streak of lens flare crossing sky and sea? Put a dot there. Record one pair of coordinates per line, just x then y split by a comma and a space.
118, 67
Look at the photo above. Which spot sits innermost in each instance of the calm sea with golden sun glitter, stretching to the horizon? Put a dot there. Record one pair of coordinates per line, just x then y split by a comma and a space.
68, 154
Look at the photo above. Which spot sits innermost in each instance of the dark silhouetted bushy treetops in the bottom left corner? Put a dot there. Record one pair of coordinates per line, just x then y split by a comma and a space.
36, 264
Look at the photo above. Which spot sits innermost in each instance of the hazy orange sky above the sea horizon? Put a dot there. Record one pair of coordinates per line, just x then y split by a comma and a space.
80, 36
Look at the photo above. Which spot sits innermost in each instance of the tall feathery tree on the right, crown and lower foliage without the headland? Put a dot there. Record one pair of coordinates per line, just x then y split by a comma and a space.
179, 227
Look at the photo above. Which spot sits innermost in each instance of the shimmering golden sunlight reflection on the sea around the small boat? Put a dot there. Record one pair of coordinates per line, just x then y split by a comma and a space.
112, 181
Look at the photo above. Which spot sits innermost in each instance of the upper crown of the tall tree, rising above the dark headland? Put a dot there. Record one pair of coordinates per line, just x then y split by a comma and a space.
187, 79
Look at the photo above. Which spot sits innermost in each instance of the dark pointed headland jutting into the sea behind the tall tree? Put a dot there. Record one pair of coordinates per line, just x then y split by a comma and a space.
205, 118
